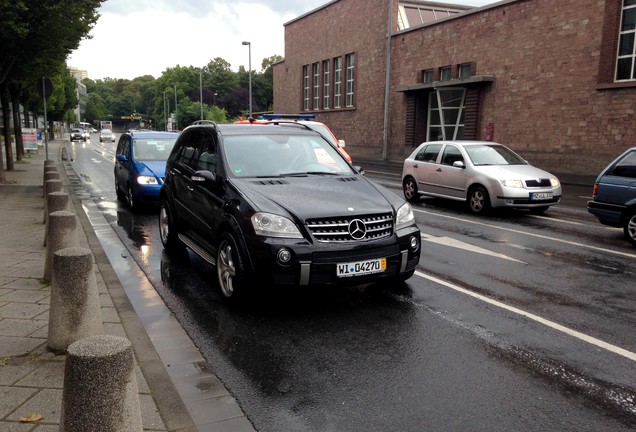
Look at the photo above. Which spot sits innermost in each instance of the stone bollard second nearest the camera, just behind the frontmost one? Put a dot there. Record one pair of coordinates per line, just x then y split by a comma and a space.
74, 312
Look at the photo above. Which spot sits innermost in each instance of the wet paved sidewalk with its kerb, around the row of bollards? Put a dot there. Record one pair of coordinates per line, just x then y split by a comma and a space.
189, 398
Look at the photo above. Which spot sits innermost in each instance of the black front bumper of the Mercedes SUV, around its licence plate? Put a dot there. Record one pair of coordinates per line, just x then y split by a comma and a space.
316, 263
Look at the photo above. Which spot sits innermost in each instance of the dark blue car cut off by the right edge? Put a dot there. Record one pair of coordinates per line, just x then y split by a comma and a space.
614, 195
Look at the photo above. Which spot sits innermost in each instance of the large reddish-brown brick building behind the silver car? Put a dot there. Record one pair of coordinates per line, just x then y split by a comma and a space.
554, 80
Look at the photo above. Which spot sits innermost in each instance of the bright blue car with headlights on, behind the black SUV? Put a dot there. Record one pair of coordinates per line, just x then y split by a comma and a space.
140, 165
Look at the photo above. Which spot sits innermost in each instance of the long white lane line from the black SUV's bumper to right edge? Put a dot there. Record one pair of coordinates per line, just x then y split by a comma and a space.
578, 335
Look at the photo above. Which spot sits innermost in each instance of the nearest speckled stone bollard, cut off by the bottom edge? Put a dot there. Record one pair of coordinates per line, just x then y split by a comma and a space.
100, 390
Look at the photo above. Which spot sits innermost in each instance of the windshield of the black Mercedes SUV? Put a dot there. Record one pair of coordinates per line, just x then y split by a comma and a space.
282, 155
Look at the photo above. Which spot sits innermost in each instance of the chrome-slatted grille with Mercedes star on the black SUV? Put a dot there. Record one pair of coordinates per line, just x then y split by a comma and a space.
344, 229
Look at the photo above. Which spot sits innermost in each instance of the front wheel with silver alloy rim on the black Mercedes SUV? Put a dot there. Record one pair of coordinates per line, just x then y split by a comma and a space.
230, 267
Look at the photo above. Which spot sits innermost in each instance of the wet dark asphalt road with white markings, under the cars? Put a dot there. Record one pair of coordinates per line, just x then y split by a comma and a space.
512, 322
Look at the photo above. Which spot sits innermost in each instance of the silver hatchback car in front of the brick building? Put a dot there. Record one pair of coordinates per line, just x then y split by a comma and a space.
483, 174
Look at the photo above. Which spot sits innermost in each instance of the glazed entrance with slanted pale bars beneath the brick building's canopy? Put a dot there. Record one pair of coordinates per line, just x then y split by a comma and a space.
446, 114
